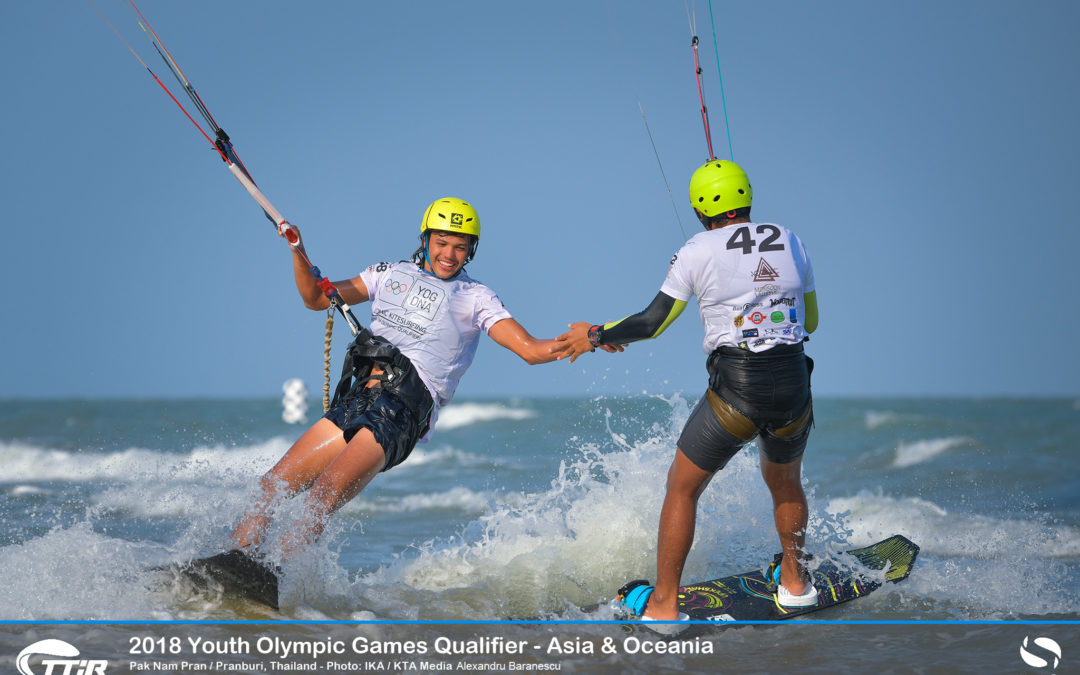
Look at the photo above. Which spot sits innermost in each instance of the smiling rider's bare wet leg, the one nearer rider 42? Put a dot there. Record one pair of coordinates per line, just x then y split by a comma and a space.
361, 461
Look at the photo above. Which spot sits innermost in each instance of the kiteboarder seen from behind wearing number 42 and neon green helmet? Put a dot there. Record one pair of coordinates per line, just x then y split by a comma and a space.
757, 295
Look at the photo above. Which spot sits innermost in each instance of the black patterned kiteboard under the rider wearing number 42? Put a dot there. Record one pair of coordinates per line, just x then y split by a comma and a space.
752, 597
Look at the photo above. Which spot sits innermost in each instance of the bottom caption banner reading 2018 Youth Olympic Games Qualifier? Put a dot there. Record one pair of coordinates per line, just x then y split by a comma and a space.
103, 649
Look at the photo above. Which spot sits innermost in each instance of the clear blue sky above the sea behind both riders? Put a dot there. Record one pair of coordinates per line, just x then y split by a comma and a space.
925, 152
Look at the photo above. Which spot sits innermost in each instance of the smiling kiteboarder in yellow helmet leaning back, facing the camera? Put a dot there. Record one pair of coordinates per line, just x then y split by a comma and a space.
398, 374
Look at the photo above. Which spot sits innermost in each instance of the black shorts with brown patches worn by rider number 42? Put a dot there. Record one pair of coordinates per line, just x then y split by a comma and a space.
751, 396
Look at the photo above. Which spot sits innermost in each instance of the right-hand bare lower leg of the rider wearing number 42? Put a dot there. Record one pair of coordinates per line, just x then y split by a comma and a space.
791, 514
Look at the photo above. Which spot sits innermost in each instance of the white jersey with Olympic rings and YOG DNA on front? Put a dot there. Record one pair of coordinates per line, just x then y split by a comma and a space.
435, 322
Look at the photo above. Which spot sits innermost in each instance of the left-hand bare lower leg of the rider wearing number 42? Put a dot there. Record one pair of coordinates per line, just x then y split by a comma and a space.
686, 482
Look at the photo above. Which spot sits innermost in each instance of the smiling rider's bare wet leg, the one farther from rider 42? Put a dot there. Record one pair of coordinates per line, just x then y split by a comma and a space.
298, 470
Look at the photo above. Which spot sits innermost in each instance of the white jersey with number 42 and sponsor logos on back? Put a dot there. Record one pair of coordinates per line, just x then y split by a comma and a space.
750, 279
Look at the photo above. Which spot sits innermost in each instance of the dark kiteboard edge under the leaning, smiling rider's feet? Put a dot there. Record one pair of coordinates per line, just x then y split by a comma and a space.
235, 575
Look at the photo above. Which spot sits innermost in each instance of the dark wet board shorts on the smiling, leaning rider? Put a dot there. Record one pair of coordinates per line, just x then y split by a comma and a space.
393, 422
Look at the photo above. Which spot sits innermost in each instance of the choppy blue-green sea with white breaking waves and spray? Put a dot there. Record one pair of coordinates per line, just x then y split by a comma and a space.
539, 510
